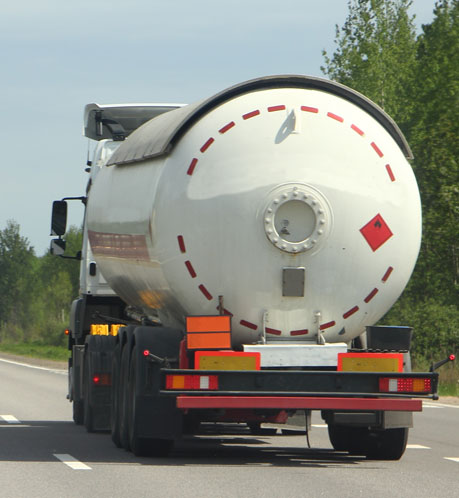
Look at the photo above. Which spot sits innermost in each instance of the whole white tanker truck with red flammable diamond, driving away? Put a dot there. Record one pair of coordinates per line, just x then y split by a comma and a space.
237, 253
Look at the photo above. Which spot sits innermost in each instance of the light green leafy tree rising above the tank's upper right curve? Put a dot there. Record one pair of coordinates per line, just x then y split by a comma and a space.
376, 54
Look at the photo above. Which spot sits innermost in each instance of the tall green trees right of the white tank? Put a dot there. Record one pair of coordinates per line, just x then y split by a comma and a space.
415, 79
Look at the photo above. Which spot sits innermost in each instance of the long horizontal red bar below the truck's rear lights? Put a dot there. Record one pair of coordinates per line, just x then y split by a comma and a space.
297, 403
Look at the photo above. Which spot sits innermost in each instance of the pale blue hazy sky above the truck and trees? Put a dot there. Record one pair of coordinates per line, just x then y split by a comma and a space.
58, 56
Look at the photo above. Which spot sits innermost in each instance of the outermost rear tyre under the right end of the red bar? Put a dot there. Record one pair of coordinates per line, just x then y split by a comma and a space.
389, 444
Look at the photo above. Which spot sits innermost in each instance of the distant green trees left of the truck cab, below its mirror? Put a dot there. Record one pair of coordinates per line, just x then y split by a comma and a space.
35, 292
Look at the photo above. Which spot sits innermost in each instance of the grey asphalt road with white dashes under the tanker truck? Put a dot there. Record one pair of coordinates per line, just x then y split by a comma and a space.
43, 454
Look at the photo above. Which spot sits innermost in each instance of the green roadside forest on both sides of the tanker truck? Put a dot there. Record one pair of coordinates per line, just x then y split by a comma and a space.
415, 79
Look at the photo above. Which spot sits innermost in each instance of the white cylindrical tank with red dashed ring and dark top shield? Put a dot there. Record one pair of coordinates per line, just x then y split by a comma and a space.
289, 197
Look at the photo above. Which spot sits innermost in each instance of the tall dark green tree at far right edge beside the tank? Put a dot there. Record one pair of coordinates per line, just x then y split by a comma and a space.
434, 137
